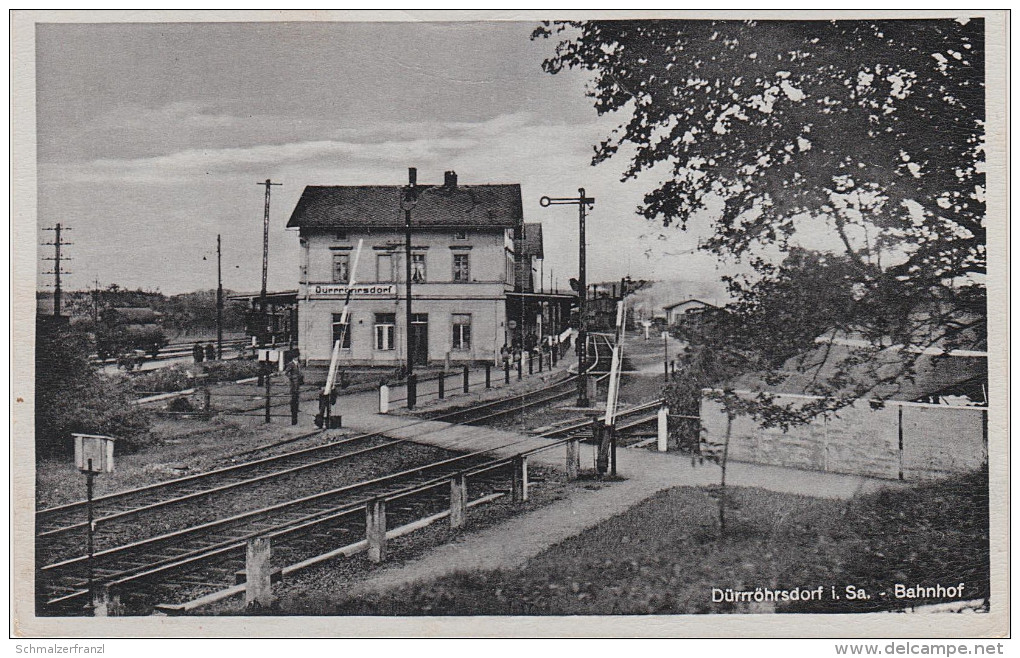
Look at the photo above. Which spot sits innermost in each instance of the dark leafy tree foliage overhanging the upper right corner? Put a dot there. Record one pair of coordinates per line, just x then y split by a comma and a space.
843, 160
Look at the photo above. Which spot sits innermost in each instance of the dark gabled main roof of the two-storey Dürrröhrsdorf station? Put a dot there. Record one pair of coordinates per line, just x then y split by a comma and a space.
379, 207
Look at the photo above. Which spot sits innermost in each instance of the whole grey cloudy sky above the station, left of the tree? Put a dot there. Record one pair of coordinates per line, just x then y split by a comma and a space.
152, 139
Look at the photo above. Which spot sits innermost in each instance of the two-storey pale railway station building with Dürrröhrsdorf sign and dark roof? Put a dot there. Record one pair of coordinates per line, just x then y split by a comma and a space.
468, 260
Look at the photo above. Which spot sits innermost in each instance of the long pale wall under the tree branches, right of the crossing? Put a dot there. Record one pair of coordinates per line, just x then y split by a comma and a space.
938, 440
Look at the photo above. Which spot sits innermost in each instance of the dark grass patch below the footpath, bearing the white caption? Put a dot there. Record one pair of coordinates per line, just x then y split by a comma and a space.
667, 555
